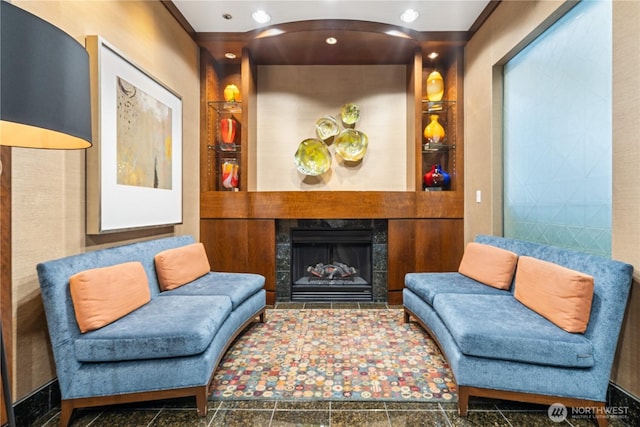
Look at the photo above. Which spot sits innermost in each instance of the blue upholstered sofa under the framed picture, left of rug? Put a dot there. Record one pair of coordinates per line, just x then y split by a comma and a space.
167, 348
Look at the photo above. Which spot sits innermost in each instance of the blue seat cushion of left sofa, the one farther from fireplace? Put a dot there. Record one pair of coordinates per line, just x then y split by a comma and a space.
165, 327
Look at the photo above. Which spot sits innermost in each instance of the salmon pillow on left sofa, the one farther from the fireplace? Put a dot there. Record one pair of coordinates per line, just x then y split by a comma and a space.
103, 295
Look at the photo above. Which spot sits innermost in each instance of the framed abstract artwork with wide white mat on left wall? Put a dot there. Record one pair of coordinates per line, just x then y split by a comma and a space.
134, 168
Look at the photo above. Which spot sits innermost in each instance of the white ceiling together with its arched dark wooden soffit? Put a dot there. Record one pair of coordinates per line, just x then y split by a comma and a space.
367, 31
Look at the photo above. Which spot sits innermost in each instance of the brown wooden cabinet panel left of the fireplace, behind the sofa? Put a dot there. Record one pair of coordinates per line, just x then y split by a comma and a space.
244, 246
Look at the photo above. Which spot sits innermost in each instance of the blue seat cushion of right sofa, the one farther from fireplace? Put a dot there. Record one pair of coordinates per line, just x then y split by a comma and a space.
502, 328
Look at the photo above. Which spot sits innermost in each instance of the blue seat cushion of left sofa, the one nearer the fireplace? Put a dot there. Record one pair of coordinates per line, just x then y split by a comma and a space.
237, 286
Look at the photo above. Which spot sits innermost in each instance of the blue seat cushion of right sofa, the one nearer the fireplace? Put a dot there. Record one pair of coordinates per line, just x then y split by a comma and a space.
428, 285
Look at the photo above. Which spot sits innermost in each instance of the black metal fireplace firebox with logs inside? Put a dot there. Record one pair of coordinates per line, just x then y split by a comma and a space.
331, 264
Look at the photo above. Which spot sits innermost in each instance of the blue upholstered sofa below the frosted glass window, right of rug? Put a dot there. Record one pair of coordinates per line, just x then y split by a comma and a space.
498, 348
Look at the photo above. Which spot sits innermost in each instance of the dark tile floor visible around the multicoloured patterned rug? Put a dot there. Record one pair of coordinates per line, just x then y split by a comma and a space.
181, 412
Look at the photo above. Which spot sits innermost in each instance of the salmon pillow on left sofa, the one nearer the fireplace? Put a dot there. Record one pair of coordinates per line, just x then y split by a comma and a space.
179, 266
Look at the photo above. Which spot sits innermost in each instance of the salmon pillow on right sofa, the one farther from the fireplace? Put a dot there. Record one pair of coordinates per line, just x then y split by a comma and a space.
561, 295
